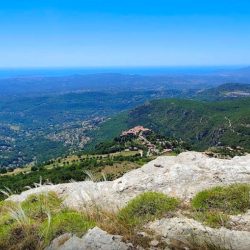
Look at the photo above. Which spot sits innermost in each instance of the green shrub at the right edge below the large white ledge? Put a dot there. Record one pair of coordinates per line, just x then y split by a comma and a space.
233, 199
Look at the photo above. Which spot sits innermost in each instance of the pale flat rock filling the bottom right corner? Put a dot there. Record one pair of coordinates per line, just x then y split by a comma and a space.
179, 232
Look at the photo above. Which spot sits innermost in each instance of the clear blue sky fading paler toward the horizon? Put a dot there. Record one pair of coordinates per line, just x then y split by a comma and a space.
80, 33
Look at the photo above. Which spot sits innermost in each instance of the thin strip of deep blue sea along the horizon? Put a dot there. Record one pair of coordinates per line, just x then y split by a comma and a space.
56, 72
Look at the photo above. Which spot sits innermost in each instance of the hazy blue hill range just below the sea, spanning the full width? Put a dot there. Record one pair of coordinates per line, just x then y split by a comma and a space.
113, 83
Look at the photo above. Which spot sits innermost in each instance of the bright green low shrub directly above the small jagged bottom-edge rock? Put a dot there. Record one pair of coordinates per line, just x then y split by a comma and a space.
66, 222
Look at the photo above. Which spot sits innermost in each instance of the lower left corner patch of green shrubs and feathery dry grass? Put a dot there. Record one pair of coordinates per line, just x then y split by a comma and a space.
36, 221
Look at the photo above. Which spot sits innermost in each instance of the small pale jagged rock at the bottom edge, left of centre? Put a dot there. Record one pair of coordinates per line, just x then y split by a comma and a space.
94, 239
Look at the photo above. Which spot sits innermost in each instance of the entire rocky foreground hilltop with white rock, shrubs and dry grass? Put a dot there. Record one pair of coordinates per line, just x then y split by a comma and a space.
172, 202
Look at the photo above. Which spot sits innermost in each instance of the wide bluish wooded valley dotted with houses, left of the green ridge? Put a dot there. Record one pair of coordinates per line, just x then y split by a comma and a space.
41, 128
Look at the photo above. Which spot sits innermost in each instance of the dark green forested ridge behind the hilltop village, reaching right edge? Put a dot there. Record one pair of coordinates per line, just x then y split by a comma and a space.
201, 124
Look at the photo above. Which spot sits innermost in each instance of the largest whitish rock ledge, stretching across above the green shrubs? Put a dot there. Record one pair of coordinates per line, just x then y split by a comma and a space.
179, 176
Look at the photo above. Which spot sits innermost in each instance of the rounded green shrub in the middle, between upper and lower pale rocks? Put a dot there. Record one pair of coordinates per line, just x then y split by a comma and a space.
146, 207
